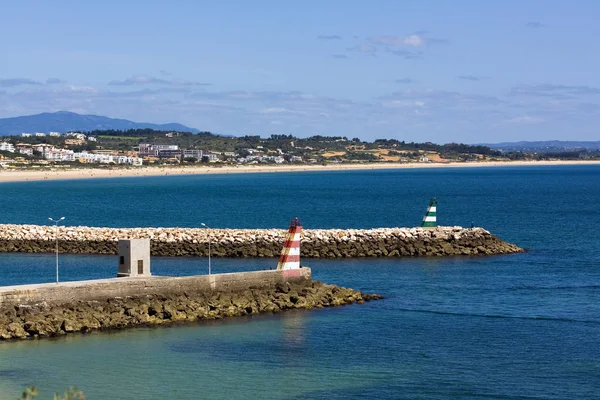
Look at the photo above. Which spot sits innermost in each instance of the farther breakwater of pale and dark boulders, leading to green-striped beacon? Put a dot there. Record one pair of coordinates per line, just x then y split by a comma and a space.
316, 243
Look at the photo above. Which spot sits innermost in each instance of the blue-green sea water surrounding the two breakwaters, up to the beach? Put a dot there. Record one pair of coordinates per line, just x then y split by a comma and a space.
523, 326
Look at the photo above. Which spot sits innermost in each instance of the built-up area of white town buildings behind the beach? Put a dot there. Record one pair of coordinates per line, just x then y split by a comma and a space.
39, 149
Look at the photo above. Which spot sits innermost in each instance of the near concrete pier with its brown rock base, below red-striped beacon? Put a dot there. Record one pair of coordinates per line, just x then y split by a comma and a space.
50, 309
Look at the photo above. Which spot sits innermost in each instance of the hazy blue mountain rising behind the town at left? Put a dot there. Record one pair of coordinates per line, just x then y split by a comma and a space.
64, 121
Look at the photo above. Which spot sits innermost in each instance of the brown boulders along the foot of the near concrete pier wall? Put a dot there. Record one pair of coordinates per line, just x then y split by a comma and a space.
49, 320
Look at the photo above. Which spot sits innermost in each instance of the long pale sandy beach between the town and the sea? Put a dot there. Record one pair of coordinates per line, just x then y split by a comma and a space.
91, 173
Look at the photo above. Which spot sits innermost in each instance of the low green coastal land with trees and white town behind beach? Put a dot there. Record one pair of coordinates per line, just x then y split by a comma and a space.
147, 147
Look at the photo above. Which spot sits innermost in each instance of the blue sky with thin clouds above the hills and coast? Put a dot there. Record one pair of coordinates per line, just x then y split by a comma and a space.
441, 71
